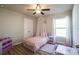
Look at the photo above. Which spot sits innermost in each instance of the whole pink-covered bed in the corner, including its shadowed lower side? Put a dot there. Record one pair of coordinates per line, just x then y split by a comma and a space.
34, 43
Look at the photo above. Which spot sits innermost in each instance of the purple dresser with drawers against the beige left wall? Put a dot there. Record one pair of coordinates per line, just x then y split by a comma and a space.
5, 45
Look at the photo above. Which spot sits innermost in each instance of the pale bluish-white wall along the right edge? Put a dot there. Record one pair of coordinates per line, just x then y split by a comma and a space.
75, 17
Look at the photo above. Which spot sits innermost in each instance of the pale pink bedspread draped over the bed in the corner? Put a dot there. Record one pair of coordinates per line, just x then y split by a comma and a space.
36, 42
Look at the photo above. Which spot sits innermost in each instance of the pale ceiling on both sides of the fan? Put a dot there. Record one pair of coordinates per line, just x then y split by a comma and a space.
54, 8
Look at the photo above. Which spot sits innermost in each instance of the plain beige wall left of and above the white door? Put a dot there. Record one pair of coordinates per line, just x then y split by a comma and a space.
12, 25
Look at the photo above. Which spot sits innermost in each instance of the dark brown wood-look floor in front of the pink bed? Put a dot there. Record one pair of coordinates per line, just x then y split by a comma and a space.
19, 50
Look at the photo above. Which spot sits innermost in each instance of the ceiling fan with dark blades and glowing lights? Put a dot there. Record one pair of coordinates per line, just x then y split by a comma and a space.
38, 10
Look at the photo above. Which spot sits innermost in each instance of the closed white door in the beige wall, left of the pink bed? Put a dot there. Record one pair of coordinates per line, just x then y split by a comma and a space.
28, 27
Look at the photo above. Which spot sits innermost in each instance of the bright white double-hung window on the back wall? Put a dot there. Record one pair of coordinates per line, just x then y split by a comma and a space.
61, 27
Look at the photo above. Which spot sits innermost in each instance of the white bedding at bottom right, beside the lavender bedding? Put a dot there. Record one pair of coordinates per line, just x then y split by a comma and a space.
65, 50
